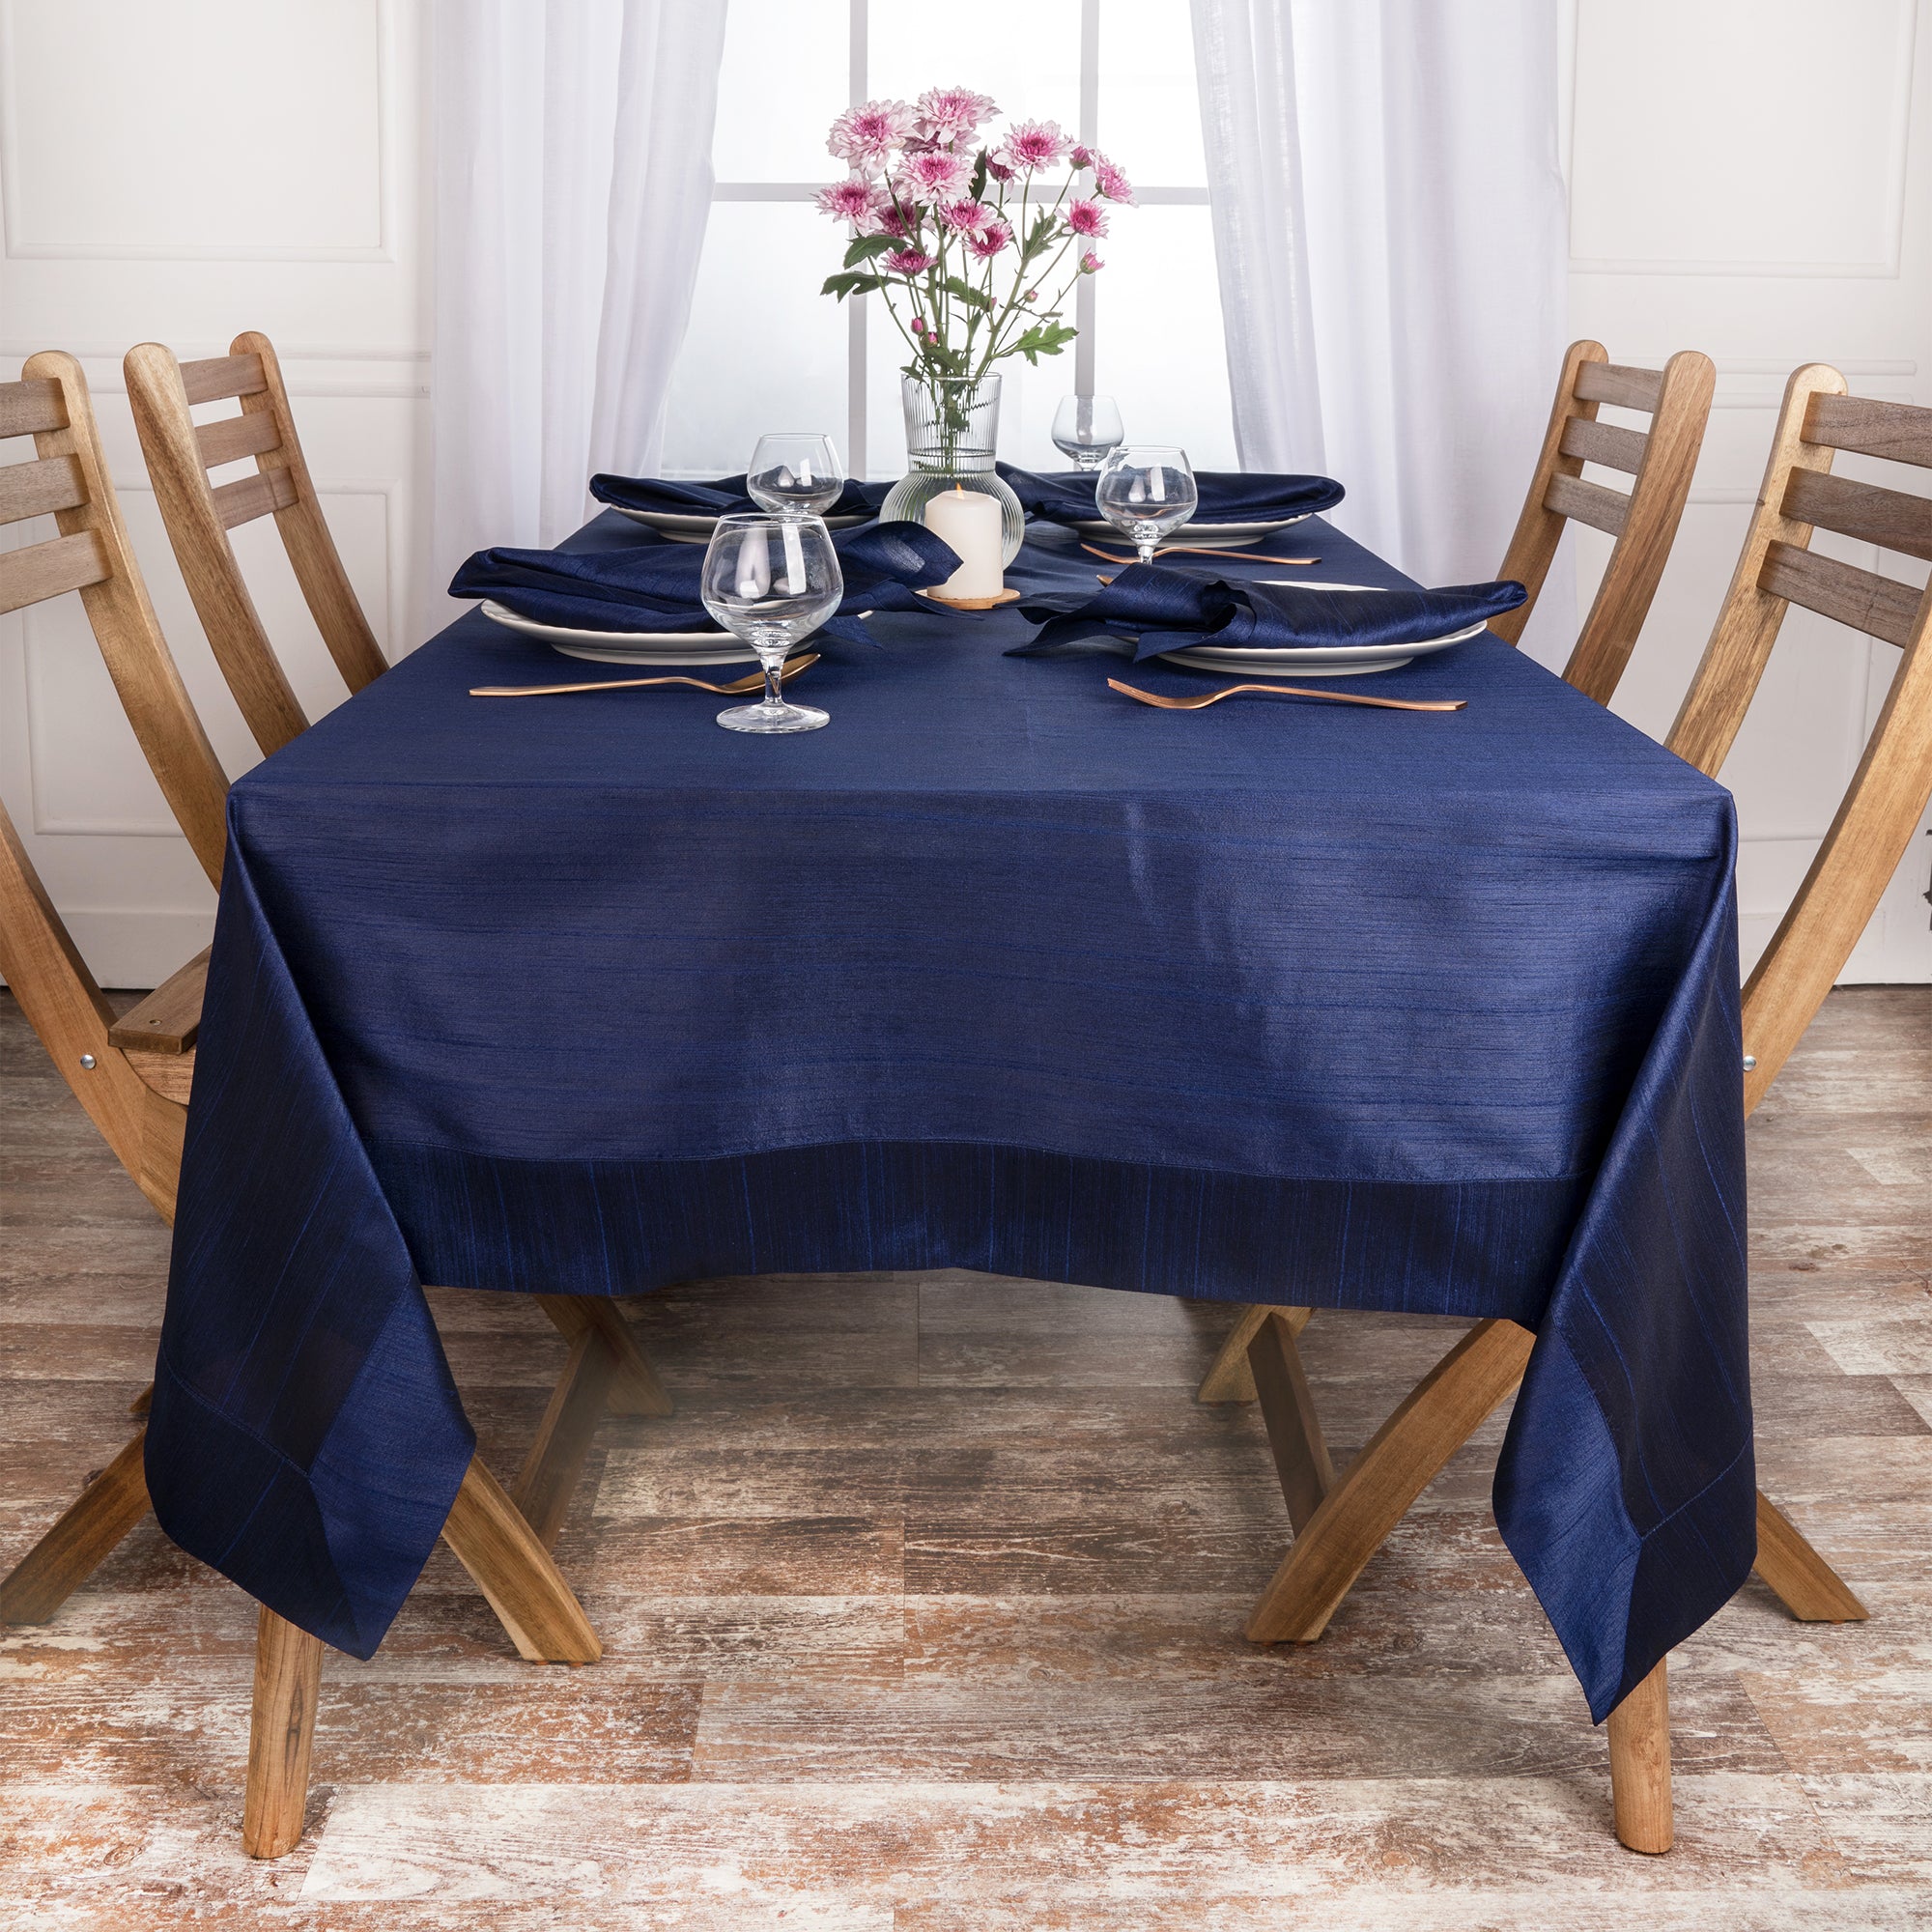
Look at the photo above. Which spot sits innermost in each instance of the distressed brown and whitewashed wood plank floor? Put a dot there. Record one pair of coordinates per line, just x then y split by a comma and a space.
924, 1614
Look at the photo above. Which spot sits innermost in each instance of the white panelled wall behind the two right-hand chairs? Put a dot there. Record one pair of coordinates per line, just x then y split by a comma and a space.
1749, 179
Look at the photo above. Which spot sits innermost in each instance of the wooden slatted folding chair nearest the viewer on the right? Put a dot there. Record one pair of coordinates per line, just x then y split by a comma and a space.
1342, 1523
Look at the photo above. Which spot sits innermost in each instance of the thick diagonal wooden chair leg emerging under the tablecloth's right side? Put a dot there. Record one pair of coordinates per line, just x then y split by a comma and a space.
1398, 1465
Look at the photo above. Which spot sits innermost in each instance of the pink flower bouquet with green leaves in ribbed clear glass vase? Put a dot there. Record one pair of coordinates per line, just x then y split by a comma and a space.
975, 246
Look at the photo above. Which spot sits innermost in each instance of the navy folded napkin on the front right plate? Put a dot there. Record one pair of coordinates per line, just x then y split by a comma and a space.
1170, 610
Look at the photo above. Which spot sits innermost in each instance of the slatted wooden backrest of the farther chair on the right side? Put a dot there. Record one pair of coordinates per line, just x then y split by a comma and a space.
1643, 523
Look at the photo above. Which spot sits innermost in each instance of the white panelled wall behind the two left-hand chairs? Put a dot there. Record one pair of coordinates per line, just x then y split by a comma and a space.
181, 175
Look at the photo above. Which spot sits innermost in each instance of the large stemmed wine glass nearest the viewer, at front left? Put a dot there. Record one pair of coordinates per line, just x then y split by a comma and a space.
772, 581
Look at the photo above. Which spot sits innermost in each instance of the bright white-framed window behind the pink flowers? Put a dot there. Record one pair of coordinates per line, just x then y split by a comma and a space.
766, 351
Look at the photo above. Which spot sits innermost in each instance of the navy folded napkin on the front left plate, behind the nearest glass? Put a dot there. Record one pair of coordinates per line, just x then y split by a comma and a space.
654, 584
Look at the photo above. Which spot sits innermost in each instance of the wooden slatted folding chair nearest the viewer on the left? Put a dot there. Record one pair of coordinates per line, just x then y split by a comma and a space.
134, 1077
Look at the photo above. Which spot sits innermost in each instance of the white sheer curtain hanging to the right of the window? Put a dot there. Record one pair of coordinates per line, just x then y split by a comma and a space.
1392, 250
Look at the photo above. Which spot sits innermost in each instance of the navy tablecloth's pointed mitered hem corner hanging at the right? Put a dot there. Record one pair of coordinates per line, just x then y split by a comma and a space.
1620, 1599
